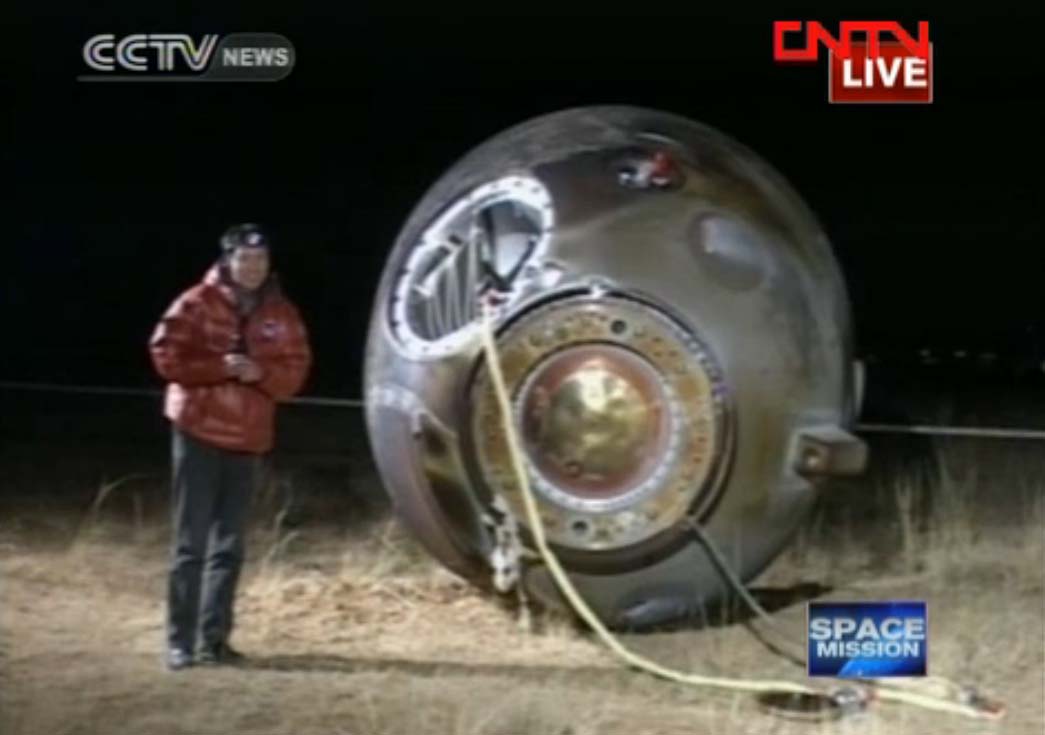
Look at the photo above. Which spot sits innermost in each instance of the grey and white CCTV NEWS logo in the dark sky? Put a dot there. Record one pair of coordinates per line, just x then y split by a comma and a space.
180, 58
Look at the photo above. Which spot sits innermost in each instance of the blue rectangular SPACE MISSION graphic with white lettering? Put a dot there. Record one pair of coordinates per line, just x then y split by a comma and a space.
868, 639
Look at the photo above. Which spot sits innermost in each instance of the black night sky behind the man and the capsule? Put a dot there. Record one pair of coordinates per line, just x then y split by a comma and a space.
117, 194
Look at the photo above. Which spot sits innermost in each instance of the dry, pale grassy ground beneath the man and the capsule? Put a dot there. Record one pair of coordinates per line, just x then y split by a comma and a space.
351, 629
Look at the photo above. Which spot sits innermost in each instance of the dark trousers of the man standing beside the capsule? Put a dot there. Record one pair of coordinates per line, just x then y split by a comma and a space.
211, 499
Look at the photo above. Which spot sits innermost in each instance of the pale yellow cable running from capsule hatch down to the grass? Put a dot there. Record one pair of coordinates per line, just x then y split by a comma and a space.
576, 602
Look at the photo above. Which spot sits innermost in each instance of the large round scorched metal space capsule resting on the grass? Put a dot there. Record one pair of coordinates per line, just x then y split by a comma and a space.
676, 337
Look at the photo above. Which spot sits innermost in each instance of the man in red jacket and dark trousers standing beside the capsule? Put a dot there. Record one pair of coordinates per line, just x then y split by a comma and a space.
230, 348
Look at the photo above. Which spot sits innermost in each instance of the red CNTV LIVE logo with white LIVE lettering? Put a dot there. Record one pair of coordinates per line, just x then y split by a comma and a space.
886, 64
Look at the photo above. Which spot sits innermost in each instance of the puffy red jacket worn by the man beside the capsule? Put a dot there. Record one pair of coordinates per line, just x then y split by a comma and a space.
189, 350
